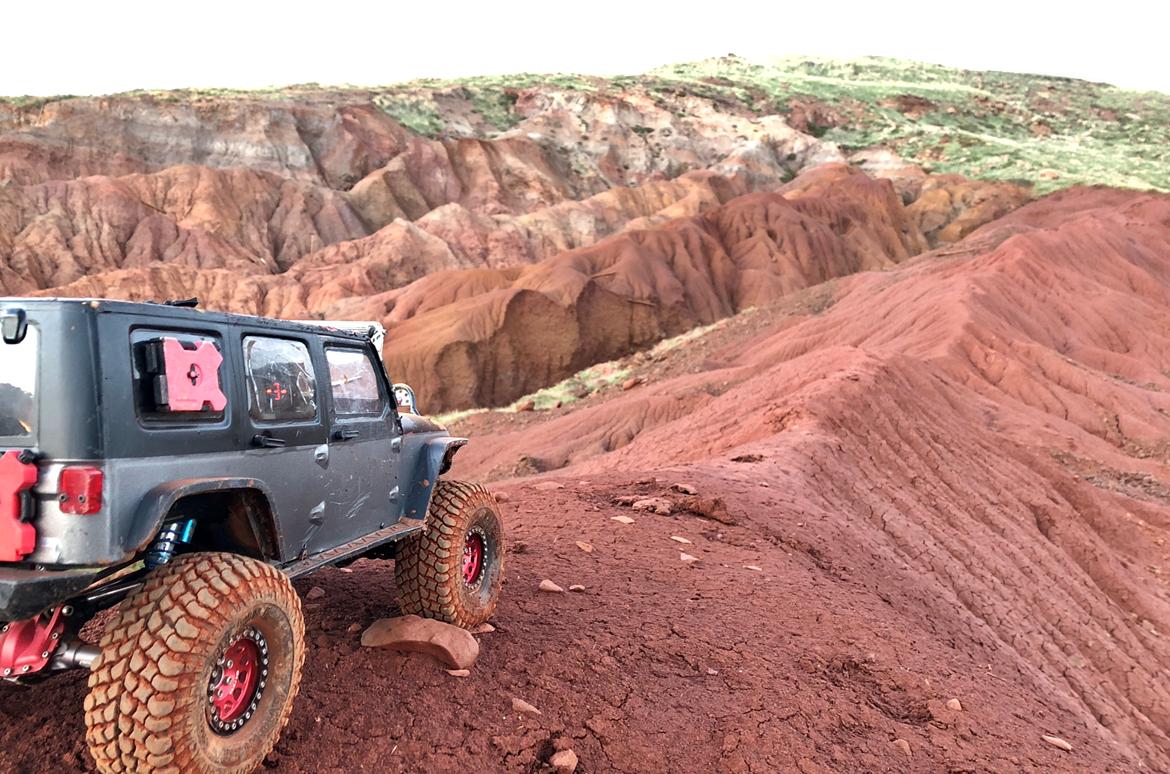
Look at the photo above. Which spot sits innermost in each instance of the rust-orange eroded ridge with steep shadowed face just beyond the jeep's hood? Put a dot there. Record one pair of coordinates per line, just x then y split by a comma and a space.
522, 330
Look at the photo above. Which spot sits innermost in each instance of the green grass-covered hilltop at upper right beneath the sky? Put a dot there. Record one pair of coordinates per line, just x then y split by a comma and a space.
1051, 132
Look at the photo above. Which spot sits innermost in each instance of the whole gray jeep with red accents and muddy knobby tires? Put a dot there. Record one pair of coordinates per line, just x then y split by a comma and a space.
190, 466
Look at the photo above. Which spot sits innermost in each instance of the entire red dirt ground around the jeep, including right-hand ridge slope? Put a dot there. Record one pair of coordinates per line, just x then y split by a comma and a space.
945, 481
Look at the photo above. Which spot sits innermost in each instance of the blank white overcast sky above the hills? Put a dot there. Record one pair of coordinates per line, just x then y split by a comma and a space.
98, 47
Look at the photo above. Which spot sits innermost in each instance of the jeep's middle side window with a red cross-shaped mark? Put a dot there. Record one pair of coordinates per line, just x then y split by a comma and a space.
281, 384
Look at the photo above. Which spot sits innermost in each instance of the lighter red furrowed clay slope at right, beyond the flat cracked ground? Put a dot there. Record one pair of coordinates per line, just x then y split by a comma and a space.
980, 438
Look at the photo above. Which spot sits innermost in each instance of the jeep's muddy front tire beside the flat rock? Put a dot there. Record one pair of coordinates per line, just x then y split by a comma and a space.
437, 573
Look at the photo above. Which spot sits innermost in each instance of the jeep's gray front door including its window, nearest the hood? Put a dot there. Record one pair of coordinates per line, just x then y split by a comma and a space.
364, 444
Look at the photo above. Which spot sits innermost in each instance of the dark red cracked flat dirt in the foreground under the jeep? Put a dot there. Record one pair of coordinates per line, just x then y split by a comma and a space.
810, 664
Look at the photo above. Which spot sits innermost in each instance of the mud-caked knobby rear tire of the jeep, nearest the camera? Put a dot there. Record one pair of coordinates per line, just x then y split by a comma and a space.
150, 707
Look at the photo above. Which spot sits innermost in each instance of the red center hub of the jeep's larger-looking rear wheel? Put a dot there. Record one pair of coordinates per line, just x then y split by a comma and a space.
238, 682
